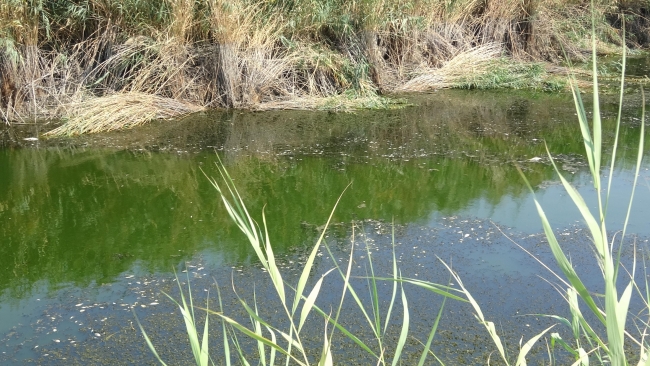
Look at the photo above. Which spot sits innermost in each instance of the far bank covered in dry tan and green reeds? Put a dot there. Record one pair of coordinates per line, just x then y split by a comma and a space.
164, 58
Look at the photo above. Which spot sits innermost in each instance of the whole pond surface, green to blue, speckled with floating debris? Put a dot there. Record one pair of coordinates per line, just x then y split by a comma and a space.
94, 226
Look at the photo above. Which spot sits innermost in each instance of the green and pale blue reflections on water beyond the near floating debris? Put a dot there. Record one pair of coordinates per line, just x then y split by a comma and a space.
78, 216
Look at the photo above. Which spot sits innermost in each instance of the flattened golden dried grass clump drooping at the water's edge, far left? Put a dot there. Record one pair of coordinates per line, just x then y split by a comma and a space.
120, 111
